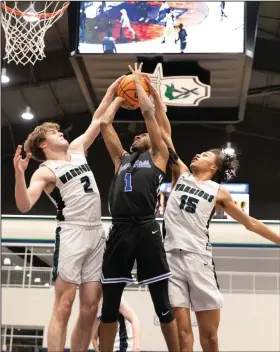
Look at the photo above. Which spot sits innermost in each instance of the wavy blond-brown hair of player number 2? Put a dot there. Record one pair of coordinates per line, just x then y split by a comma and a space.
36, 137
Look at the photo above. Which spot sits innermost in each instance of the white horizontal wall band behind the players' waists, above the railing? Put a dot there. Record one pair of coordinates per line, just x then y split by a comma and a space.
25, 227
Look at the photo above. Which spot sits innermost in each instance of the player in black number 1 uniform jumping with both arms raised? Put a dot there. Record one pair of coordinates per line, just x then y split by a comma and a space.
135, 234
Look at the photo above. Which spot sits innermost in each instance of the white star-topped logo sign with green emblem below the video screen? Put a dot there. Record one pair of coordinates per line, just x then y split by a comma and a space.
179, 90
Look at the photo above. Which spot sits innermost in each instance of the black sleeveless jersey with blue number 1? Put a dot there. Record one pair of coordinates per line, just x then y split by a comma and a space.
135, 187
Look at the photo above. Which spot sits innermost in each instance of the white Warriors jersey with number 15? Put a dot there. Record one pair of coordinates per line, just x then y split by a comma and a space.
189, 210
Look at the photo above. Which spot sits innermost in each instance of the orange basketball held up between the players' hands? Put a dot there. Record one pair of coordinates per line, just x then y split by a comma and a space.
127, 90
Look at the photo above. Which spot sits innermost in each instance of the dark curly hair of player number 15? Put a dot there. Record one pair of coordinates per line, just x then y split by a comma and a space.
227, 166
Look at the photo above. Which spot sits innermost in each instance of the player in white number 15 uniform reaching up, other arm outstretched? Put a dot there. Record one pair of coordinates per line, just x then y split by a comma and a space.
194, 199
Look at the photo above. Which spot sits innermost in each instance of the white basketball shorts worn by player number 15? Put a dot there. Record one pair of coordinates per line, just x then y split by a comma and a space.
194, 282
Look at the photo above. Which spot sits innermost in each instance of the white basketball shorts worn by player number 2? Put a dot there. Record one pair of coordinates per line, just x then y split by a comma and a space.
78, 253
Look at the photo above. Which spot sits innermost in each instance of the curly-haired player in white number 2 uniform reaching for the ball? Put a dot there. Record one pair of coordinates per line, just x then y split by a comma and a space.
68, 181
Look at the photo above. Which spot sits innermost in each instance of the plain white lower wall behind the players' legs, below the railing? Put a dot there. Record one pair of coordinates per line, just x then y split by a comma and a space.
248, 322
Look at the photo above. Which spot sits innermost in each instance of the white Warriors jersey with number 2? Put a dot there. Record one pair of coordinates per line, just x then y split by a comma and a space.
76, 195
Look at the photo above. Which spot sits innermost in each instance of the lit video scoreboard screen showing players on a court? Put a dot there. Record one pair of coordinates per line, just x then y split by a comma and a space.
159, 27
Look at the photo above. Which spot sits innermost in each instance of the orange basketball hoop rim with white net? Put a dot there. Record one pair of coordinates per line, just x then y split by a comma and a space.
25, 25
